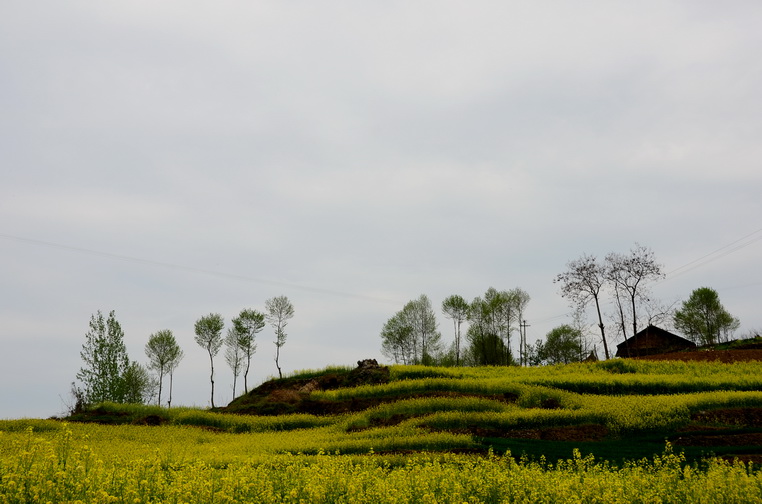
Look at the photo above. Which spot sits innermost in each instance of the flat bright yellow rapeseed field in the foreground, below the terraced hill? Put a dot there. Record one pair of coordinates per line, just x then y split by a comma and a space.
97, 464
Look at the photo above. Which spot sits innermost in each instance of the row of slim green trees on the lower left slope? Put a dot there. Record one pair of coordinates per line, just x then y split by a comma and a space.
107, 373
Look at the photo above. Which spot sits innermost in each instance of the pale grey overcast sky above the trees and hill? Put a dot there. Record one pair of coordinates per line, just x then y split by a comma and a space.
170, 159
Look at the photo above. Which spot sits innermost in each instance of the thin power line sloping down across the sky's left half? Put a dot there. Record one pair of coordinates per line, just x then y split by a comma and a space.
219, 274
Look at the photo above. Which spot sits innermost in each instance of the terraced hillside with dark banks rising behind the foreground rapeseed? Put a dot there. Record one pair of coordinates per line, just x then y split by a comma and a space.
616, 410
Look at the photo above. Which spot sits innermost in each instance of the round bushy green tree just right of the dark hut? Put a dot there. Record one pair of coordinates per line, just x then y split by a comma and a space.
703, 318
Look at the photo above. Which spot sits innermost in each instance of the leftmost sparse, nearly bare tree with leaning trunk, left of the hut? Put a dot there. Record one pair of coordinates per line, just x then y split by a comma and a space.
583, 282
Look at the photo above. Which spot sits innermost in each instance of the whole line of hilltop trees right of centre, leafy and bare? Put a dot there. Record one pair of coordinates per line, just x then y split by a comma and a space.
620, 282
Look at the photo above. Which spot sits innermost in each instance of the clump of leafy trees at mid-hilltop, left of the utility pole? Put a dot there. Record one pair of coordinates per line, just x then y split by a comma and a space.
411, 336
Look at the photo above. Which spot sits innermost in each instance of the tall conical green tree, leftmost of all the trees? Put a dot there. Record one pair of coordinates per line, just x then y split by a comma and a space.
105, 361
